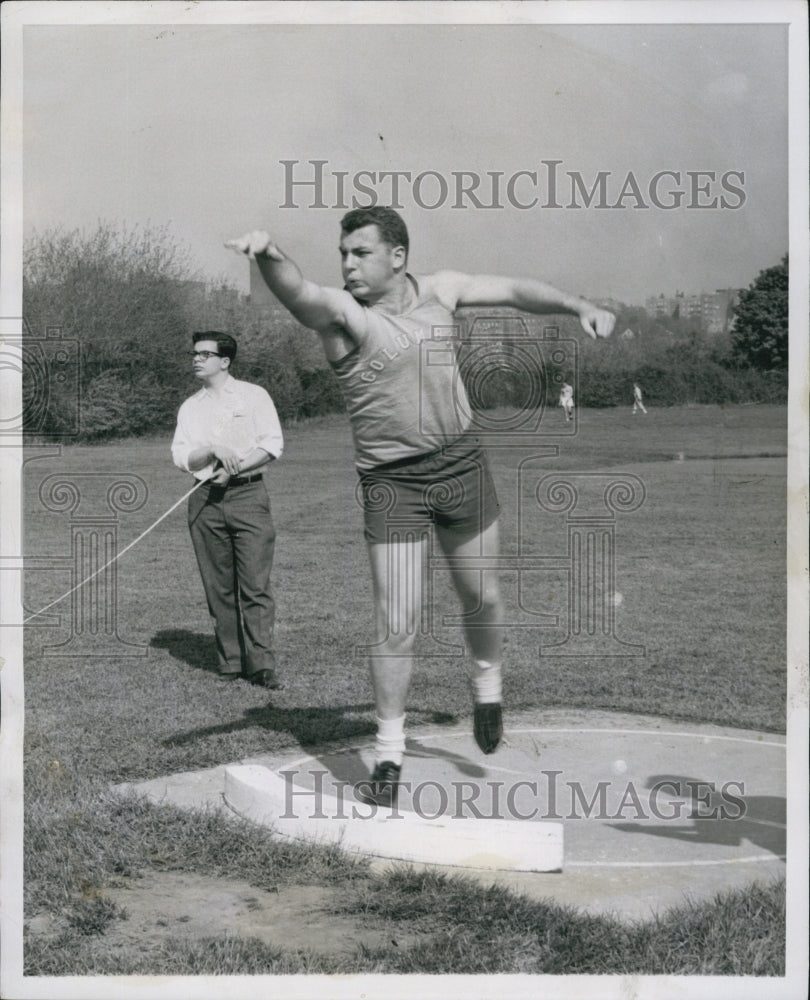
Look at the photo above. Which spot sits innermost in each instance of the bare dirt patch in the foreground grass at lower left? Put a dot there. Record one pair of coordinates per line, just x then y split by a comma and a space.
183, 905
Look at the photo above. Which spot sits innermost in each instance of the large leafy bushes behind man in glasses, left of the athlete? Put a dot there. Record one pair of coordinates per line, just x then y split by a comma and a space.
127, 301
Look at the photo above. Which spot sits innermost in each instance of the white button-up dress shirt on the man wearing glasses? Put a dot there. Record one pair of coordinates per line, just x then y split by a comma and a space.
239, 414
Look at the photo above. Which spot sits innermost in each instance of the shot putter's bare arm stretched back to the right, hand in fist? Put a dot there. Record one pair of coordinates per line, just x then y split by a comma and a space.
522, 293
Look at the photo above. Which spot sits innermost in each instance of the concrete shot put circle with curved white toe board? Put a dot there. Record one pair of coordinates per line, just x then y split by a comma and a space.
552, 798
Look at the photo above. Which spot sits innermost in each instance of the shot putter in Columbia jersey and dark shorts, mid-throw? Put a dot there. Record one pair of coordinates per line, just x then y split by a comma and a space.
414, 446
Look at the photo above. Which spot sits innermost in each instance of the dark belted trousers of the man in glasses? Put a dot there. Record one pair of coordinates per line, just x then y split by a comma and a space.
234, 538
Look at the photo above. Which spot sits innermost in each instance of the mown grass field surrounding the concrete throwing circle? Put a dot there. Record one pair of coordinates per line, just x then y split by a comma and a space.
700, 566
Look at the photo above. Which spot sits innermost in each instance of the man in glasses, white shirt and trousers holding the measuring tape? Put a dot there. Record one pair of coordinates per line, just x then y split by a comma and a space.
227, 434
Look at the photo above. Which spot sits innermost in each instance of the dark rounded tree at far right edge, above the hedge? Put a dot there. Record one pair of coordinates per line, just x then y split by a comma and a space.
759, 333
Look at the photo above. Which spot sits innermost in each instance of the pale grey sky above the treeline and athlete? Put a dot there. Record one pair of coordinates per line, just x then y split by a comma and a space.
188, 126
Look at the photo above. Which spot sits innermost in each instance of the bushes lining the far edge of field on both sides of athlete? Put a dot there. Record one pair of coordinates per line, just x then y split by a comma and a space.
131, 300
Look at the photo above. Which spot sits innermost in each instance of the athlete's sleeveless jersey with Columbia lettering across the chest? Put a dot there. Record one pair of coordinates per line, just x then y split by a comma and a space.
402, 386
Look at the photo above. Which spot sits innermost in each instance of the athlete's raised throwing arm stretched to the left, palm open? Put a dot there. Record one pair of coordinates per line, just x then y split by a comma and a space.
312, 305
